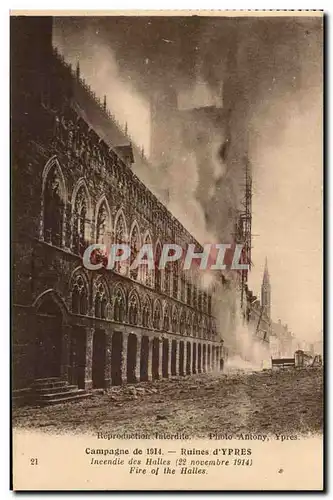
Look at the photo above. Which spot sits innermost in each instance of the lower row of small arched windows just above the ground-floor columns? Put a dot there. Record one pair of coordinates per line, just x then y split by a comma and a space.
145, 313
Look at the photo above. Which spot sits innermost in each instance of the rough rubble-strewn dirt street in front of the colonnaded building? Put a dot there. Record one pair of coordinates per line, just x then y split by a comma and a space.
288, 401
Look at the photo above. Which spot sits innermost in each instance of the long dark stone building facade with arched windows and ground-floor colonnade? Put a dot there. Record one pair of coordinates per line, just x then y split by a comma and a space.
72, 187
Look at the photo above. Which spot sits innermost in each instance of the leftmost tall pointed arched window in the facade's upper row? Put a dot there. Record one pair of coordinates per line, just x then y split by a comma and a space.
53, 209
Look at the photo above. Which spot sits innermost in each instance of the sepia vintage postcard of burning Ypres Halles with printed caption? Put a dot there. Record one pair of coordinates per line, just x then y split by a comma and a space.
166, 236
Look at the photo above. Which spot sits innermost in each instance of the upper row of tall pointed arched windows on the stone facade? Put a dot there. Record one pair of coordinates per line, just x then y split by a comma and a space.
87, 225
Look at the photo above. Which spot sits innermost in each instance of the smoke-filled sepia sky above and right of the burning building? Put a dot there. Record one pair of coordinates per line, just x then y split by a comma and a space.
271, 71
